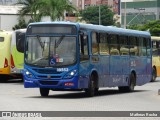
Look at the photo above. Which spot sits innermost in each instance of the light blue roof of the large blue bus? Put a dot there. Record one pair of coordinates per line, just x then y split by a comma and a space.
108, 29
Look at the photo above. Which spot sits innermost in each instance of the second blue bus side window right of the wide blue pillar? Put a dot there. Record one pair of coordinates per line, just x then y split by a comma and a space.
103, 45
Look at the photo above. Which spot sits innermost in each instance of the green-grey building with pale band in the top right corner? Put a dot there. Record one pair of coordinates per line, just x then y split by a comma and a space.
139, 12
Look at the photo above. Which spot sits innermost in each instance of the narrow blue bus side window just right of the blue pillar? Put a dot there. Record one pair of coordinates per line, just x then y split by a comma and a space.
95, 47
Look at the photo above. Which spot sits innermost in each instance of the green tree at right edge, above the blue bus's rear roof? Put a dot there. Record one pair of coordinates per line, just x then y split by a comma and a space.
152, 26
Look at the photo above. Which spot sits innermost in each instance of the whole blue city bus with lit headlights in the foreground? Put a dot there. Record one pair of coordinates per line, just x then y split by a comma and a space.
75, 56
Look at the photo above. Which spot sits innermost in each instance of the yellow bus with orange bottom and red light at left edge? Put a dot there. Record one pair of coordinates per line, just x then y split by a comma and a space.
5, 42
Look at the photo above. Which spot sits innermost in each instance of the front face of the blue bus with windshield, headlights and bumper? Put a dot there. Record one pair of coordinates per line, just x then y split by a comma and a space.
50, 57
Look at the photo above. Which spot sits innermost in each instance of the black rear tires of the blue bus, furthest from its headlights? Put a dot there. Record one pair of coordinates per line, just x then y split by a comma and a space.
130, 87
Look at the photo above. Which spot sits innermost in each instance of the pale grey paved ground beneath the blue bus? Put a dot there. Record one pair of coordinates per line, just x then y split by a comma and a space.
14, 97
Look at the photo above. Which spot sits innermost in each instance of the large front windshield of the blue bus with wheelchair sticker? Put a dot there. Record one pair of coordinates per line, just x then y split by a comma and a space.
50, 51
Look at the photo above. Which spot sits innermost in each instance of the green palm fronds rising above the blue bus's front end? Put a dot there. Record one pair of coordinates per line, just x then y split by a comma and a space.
39, 8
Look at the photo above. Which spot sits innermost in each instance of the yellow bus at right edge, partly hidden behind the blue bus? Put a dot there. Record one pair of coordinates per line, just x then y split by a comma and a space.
155, 57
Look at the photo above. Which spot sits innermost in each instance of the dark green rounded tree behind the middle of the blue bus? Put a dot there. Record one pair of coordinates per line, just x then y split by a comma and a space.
91, 15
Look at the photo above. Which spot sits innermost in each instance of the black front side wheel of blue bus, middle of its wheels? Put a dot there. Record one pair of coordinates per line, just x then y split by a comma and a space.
90, 91
